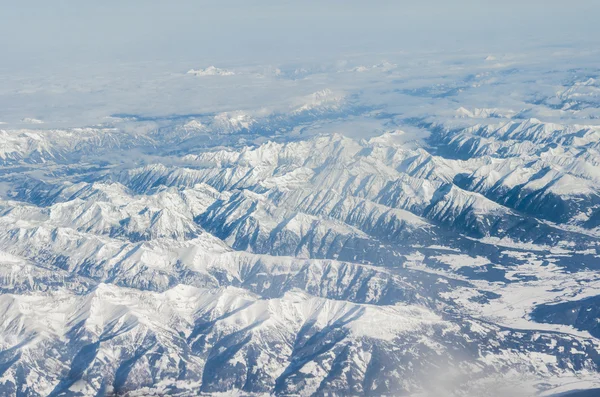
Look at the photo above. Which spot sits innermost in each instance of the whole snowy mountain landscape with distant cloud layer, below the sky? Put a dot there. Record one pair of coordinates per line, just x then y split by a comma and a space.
377, 225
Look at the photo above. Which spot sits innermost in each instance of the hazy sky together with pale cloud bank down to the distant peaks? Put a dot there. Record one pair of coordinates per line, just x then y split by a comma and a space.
72, 63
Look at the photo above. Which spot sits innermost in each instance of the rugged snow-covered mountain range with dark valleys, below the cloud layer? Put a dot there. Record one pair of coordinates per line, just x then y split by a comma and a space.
322, 265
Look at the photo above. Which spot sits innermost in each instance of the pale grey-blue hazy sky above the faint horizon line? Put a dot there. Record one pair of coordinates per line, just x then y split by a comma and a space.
51, 33
